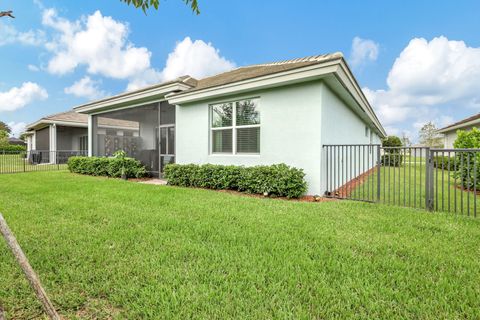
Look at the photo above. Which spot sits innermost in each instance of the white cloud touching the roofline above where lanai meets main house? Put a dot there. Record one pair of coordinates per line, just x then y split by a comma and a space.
197, 59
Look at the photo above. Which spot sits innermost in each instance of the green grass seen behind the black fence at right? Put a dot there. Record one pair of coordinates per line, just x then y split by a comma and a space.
405, 186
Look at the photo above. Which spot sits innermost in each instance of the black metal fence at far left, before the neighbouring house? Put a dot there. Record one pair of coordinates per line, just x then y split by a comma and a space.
35, 160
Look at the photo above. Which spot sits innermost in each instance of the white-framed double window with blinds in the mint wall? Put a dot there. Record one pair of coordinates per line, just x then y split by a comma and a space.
235, 127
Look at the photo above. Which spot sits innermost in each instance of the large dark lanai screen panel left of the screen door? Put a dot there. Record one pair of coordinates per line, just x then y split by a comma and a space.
133, 130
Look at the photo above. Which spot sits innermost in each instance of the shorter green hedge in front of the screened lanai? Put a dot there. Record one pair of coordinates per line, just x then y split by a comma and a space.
108, 167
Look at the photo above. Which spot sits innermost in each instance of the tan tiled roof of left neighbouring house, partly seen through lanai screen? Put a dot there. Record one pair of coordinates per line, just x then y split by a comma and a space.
75, 119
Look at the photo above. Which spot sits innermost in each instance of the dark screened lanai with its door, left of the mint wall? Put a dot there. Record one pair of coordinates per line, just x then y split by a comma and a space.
146, 133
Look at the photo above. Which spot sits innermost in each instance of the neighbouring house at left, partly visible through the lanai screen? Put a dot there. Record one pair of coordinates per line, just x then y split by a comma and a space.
53, 138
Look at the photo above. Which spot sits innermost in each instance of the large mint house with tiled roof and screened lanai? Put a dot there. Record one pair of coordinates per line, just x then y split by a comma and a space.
281, 112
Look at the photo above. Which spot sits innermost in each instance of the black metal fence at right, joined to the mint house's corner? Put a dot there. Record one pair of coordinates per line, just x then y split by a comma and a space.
418, 177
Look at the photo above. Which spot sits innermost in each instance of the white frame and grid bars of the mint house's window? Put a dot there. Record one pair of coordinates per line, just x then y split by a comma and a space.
233, 127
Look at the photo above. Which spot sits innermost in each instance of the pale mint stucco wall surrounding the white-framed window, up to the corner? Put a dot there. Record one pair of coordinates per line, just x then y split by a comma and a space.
290, 131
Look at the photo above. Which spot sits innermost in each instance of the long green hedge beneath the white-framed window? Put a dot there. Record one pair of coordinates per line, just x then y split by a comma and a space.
276, 180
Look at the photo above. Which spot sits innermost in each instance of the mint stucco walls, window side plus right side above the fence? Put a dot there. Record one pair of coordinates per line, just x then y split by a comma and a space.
295, 122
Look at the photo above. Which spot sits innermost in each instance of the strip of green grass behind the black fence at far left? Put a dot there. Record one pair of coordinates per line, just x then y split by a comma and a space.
14, 163
